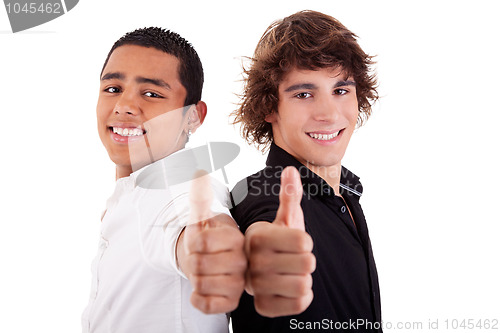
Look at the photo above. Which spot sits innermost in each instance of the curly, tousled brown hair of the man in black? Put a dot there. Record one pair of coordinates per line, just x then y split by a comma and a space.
305, 40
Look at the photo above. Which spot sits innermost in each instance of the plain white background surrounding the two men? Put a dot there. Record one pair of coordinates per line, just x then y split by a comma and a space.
428, 157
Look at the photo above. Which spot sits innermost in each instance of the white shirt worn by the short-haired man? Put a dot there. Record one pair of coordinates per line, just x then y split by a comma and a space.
137, 286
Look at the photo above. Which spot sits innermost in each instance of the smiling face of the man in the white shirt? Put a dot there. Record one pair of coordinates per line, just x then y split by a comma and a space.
140, 108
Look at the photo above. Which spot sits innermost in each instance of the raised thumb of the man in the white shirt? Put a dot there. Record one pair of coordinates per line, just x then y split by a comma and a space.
200, 198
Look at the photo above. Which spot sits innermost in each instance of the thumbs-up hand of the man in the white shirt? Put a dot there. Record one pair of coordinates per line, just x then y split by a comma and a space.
210, 253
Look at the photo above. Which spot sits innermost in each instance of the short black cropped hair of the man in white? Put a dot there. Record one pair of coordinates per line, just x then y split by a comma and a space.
190, 68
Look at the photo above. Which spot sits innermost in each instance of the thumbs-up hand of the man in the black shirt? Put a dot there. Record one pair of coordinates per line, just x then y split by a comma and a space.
280, 255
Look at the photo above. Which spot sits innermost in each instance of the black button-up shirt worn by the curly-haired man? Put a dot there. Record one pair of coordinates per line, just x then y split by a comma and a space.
345, 282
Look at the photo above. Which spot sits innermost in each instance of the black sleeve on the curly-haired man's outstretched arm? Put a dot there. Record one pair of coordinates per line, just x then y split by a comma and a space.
256, 199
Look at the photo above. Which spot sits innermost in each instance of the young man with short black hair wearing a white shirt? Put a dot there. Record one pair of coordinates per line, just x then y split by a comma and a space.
152, 272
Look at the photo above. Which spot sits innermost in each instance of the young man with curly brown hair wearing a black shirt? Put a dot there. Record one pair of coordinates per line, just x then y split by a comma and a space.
311, 264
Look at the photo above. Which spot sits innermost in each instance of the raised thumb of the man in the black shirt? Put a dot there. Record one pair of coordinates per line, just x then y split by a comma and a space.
289, 212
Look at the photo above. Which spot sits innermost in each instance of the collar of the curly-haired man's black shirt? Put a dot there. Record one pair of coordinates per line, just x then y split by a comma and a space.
349, 182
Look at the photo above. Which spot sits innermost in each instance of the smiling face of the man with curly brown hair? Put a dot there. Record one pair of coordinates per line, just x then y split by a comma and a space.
317, 114
